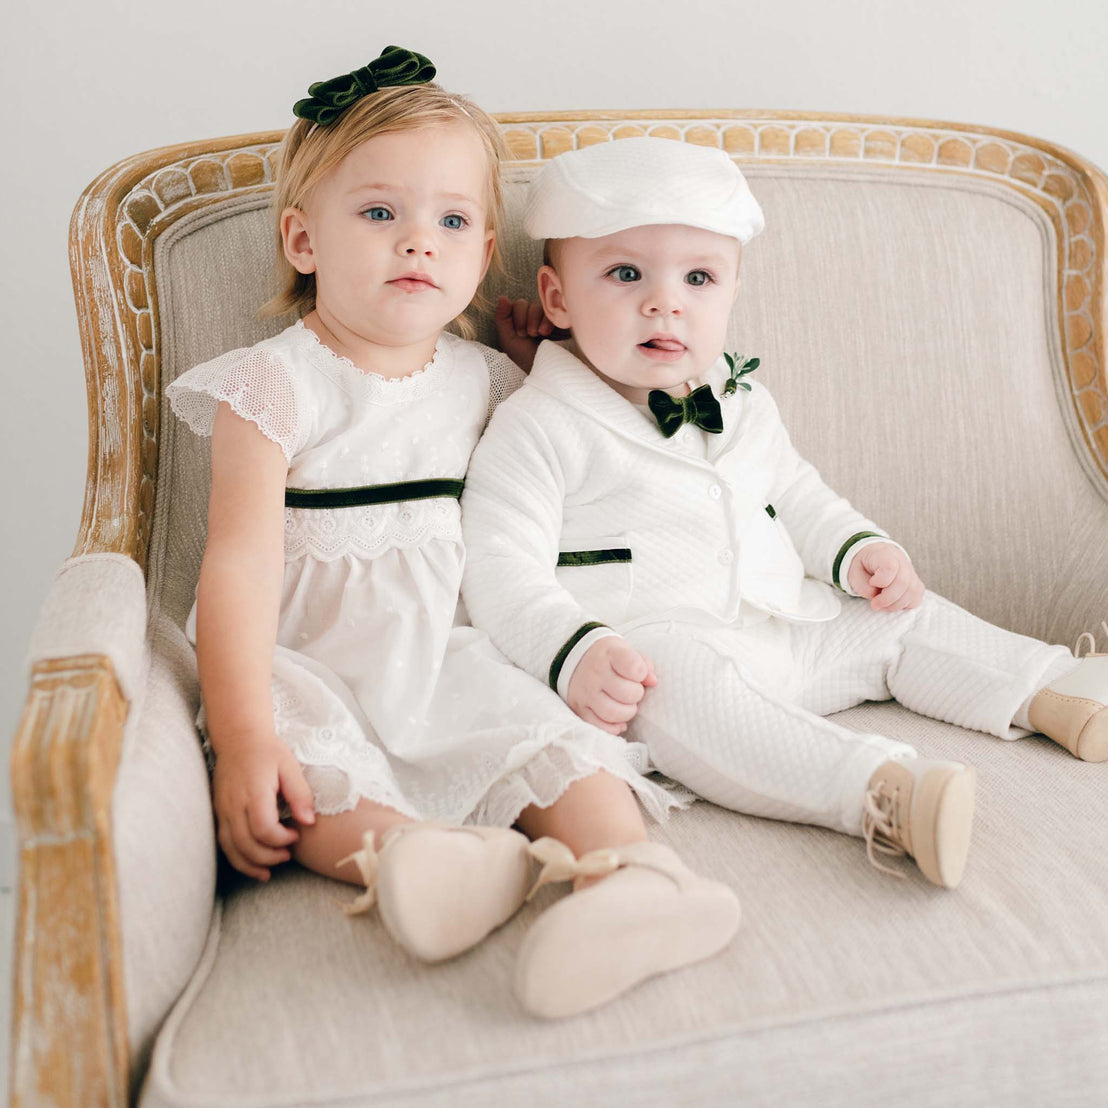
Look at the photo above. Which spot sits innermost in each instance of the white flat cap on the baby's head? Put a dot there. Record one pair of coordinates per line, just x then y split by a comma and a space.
640, 182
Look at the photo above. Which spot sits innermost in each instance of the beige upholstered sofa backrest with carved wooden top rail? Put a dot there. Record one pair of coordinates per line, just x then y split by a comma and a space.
925, 302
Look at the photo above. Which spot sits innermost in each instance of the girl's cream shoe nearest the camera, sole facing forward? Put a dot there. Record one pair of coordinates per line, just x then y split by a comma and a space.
652, 915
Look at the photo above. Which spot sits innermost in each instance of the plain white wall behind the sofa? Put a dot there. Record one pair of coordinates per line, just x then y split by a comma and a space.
88, 83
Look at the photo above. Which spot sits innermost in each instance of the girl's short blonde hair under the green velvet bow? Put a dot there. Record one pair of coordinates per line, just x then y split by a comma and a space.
310, 152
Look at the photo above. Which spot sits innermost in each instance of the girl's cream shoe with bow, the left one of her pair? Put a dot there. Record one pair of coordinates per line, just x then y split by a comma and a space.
440, 889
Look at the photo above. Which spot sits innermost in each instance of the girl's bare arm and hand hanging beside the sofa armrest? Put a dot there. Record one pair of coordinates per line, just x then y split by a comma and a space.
237, 628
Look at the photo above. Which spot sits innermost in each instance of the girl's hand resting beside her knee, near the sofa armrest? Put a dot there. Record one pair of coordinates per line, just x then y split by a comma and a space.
250, 776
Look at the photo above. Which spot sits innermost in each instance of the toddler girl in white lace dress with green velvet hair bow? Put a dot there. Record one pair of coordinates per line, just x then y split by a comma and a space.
336, 672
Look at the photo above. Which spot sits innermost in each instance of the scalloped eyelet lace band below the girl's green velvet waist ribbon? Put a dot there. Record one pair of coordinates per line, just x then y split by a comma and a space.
332, 534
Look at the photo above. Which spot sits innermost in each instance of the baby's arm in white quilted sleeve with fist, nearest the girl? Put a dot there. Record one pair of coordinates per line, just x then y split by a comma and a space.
512, 519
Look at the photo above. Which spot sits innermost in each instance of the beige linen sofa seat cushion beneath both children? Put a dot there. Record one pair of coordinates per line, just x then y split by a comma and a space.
840, 979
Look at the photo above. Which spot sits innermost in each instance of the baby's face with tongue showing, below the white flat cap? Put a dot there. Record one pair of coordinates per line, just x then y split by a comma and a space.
649, 306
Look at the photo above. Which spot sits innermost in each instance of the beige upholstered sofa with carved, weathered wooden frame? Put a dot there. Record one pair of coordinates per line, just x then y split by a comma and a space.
929, 306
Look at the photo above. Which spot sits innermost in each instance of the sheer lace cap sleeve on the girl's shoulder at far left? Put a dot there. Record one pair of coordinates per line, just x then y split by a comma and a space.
259, 386
